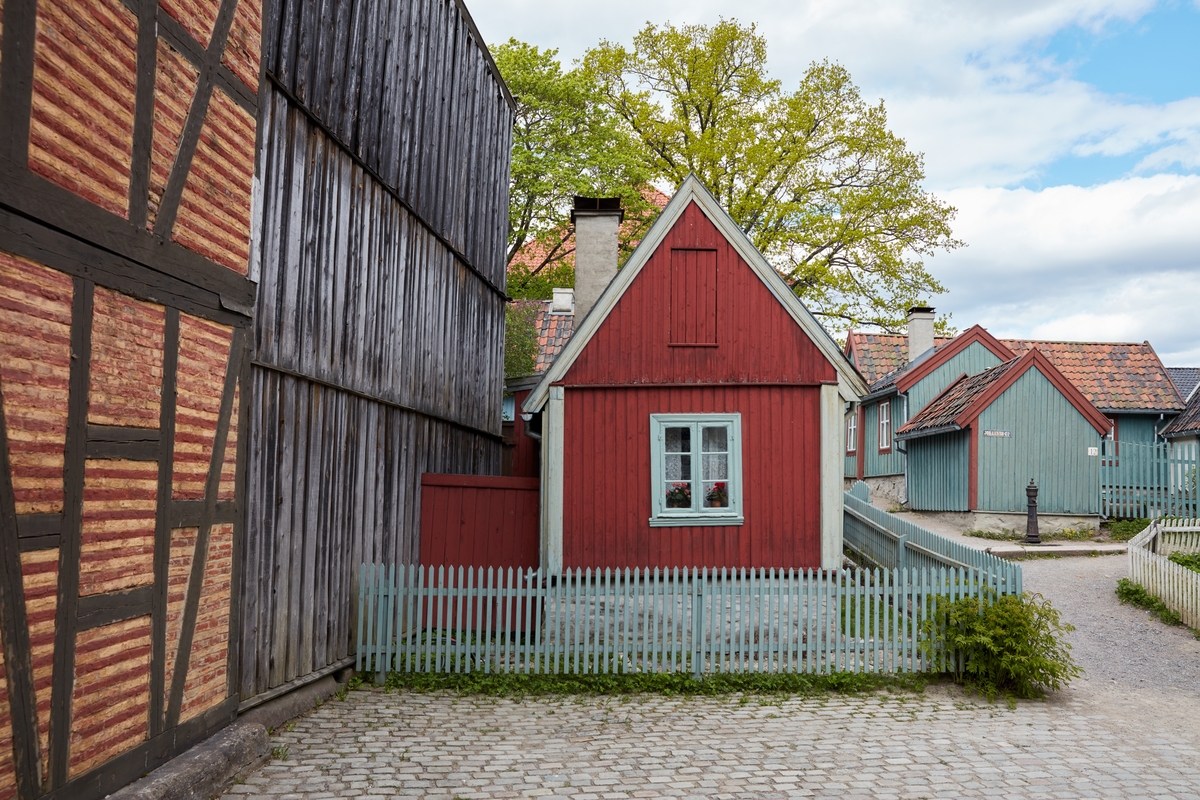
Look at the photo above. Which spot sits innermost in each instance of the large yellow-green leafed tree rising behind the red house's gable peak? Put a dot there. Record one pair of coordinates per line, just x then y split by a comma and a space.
814, 177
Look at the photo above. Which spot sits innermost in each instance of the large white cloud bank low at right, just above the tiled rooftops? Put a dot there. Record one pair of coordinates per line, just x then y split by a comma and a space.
1117, 262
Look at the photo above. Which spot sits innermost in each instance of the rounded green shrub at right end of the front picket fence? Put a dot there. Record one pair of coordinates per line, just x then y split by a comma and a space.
1001, 646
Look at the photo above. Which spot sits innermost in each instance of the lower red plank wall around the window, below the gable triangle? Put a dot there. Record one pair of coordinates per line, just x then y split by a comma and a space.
607, 488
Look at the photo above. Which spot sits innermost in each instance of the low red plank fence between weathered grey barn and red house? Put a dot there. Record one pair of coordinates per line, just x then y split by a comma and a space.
479, 521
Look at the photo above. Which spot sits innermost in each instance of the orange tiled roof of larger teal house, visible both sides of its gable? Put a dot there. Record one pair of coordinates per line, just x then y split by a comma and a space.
1114, 376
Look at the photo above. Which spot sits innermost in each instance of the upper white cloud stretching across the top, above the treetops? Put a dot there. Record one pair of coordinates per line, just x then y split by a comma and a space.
961, 80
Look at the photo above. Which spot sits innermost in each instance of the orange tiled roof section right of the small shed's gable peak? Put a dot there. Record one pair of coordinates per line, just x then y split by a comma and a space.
1115, 376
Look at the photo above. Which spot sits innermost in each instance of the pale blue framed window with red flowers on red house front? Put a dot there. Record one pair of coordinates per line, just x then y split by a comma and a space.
697, 470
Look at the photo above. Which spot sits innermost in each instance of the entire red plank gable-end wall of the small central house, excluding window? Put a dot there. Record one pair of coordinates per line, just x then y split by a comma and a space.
694, 335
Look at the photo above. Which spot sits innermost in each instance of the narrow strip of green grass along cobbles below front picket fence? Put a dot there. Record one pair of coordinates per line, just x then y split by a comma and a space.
665, 684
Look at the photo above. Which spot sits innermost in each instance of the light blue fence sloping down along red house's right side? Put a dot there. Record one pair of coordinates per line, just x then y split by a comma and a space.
891, 543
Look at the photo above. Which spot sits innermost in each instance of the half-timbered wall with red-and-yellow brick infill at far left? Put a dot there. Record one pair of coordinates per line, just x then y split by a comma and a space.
127, 163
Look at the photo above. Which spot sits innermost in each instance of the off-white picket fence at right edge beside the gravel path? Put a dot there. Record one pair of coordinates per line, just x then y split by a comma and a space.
1177, 586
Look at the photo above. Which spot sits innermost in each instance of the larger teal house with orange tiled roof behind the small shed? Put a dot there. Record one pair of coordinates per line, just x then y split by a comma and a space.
1126, 382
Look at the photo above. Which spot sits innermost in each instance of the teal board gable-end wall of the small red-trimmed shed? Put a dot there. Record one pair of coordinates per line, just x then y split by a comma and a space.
1049, 444
